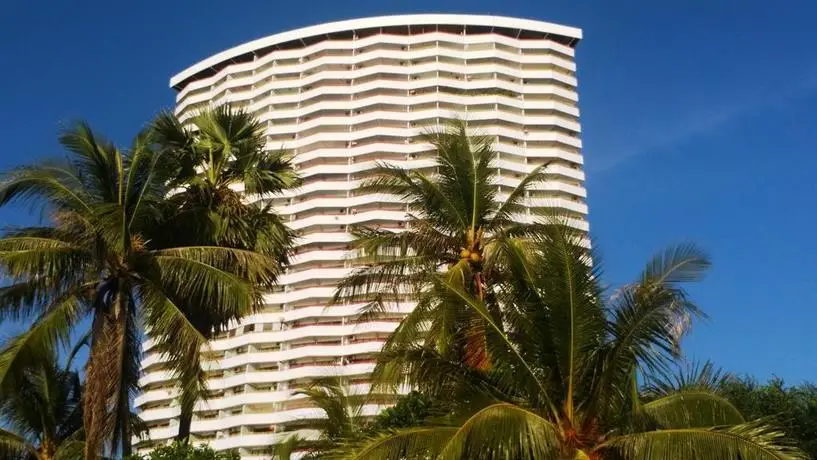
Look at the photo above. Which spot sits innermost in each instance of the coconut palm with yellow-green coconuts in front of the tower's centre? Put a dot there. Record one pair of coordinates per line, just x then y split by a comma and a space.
457, 223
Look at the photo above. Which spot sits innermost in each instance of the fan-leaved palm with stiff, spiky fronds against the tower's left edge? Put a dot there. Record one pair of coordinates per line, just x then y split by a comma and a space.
222, 172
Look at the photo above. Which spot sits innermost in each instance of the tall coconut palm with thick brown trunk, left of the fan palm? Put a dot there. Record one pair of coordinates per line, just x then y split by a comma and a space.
96, 257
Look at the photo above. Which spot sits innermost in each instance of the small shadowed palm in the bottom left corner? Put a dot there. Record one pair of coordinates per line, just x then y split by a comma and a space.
42, 410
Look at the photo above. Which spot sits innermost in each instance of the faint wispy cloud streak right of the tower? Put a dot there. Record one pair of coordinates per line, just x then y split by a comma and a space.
705, 122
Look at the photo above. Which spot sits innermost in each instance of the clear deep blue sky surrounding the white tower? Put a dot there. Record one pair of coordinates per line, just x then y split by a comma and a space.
699, 119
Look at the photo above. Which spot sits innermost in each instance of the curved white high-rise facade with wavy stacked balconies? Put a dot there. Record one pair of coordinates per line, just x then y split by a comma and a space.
343, 96
